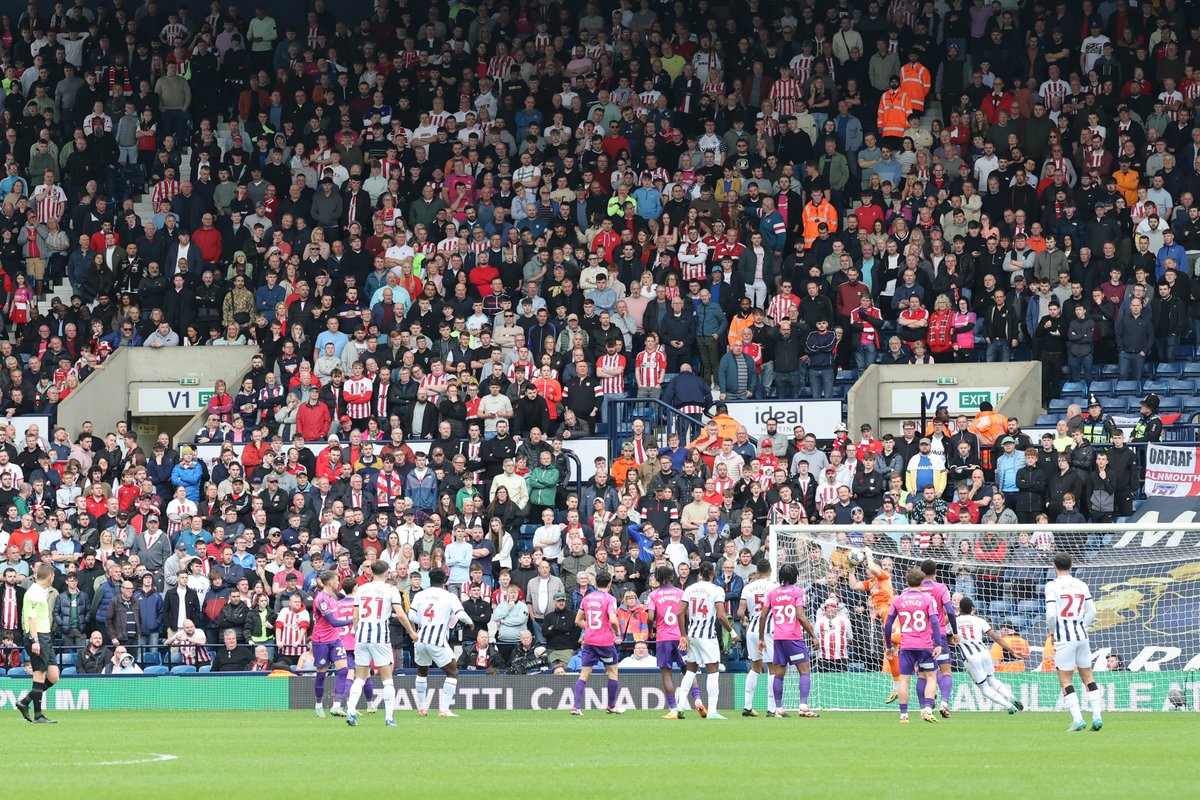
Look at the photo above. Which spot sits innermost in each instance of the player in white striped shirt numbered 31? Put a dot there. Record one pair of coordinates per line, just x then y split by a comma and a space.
375, 605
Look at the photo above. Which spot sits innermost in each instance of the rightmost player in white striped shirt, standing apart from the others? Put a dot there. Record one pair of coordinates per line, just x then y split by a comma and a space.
1070, 612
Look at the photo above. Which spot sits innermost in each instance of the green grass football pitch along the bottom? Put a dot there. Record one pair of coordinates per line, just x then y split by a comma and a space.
547, 754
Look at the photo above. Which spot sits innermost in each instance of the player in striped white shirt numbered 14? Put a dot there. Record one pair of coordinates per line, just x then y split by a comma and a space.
701, 615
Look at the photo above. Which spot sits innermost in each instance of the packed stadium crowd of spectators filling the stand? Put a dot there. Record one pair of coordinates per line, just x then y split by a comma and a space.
472, 227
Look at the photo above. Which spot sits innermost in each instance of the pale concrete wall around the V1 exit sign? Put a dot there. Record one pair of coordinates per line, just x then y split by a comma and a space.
105, 398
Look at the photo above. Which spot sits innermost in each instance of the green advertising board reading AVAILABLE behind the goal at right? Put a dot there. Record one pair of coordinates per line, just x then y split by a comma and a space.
1124, 691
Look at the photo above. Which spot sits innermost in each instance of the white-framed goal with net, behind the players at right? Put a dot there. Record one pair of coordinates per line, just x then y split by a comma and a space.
1145, 581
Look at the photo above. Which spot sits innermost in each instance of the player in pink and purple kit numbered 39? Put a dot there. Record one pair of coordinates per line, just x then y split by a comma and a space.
785, 607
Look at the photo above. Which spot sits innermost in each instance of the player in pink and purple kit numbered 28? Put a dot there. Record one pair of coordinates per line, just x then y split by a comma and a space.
920, 629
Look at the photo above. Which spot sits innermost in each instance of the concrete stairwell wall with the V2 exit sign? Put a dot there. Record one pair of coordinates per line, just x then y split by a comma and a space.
885, 396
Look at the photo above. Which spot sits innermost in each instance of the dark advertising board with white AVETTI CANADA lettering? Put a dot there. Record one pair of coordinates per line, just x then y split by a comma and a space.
641, 691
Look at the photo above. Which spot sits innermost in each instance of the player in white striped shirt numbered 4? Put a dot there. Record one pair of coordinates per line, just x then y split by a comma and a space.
435, 612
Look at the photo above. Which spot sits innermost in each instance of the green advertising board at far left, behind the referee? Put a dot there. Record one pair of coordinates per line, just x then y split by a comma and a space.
201, 693
